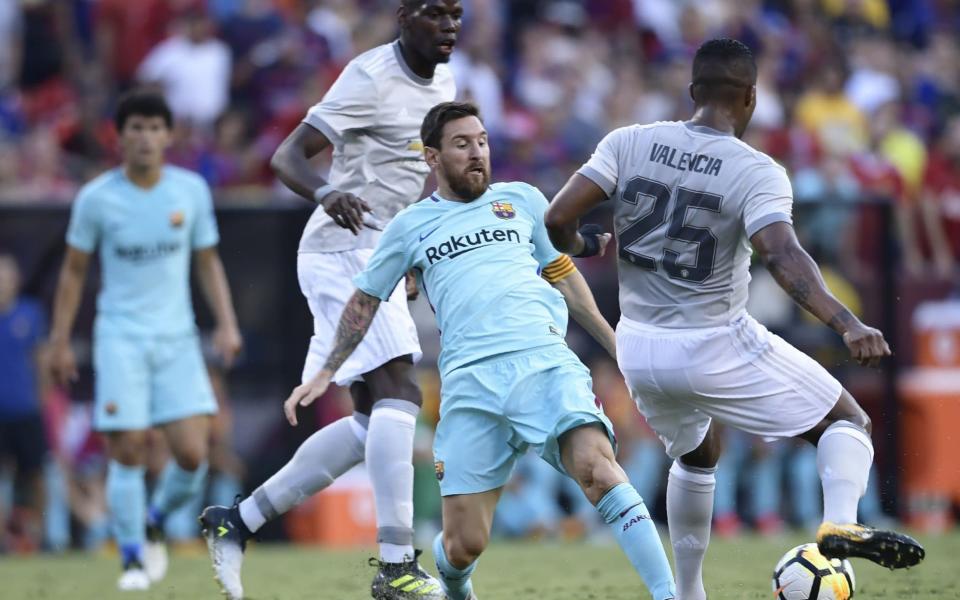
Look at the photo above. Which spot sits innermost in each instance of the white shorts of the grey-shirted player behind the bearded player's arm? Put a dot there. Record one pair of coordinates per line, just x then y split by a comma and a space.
326, 279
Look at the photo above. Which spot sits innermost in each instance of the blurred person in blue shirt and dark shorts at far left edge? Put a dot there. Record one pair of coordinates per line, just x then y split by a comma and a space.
22, 438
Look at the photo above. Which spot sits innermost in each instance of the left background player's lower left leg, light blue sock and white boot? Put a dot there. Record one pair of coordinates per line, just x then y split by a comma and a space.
126, 501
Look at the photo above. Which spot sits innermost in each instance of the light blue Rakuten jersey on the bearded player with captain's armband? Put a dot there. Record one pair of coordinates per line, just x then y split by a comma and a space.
479, 266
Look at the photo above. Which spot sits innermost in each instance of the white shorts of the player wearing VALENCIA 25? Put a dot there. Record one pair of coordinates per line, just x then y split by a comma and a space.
740, 374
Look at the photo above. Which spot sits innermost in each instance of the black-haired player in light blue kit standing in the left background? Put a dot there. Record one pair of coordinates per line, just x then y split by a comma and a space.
148, 220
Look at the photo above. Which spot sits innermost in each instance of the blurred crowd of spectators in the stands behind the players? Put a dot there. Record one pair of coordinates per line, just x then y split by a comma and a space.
857, 98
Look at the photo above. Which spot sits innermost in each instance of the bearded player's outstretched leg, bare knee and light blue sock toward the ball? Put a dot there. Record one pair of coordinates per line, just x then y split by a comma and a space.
587, 456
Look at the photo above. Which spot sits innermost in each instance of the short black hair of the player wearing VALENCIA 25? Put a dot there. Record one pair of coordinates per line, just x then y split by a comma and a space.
721, 64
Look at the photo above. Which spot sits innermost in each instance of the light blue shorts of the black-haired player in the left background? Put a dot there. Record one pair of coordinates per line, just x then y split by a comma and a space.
141, 382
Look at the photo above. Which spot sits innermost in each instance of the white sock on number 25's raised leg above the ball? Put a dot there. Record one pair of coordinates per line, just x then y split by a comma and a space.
844, 456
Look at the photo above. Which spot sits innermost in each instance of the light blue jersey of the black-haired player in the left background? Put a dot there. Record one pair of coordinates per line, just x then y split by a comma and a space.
146, 238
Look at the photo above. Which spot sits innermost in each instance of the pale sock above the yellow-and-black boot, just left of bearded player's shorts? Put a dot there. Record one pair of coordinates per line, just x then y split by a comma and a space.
389, 462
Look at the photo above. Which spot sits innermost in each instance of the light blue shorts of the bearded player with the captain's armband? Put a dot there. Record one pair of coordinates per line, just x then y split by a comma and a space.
492, 411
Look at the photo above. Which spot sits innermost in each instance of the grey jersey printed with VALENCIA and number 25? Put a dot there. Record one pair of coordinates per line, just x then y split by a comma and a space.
686, 201
